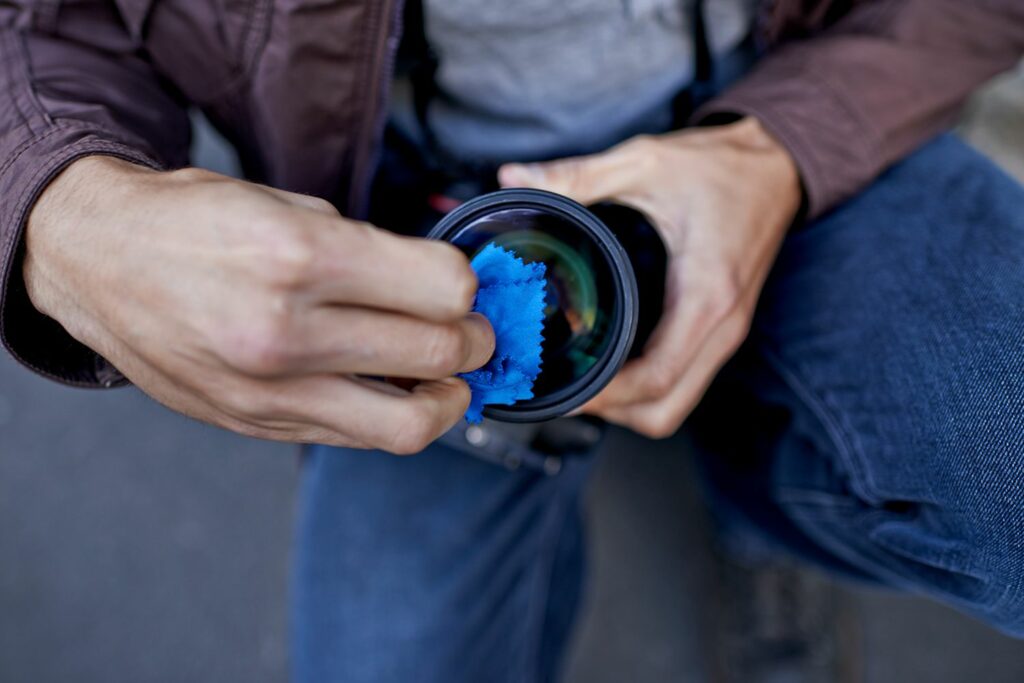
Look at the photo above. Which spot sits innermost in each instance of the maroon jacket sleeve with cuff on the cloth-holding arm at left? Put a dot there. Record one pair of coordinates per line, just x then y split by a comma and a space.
73, 82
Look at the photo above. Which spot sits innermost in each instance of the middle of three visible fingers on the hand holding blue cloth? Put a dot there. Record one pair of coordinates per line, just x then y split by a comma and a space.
372, 343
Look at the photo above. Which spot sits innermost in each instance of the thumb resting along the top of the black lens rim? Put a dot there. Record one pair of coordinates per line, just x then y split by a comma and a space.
586, 180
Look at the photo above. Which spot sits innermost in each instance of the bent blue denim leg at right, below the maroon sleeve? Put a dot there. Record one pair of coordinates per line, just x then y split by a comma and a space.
893, 326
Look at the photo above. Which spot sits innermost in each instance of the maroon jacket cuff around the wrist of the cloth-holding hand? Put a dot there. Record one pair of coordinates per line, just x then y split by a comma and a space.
37, 341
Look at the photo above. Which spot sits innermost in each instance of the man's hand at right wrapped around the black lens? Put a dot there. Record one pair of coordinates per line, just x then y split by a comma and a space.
722, 200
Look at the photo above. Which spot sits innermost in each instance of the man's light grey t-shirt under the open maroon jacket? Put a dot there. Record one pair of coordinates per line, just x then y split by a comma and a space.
536, 79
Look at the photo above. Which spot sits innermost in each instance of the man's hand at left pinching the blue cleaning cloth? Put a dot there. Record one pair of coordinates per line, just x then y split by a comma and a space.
257, 310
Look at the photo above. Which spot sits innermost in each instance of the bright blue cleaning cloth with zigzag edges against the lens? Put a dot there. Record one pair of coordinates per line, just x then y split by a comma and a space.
511, 297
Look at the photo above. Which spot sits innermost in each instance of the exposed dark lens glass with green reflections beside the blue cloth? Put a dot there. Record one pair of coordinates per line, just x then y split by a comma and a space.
580, 301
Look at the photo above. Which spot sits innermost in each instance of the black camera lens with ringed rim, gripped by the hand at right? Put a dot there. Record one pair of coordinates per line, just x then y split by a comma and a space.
606, 271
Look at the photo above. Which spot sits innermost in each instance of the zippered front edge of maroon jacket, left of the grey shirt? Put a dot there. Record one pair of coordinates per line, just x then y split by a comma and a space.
371, 133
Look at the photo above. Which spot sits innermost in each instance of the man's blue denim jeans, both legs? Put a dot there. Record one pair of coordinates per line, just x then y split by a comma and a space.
873, 423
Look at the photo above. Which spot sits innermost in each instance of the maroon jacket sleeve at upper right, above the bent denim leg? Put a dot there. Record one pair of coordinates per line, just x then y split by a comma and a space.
890, 74
